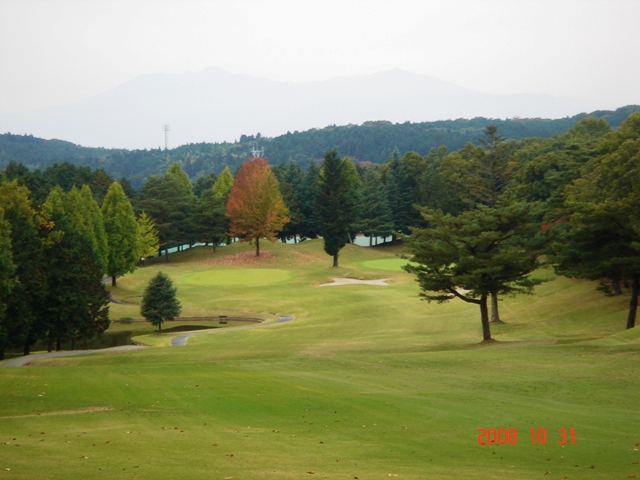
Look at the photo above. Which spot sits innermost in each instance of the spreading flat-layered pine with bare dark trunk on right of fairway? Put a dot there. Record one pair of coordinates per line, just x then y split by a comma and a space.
479, 252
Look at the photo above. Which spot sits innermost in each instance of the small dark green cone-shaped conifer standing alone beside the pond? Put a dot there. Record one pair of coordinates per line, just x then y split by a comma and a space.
159, 301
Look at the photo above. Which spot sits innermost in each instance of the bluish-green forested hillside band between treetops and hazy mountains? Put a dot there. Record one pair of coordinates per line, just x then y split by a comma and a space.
372, 141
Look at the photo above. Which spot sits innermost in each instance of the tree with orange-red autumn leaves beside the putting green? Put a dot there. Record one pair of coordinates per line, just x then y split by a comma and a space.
255, 205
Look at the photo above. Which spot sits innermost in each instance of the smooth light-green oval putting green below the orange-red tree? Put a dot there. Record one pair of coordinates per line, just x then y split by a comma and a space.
244, 276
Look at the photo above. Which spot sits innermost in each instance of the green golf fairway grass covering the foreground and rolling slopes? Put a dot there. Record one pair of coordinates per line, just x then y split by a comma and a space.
366, 382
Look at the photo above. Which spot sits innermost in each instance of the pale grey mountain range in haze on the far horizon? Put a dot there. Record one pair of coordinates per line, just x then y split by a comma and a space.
216, 106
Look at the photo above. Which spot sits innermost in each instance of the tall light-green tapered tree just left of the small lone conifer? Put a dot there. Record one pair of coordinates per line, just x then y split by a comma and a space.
122, 233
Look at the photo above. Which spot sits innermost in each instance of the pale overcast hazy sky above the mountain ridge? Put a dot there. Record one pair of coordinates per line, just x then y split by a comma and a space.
54, 52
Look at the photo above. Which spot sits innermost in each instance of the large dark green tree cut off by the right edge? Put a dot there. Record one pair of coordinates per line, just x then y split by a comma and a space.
601, 238
